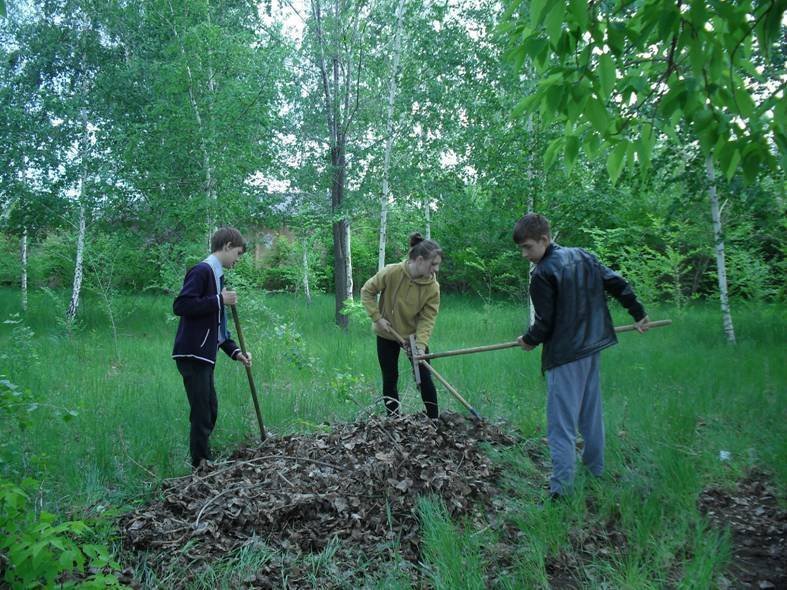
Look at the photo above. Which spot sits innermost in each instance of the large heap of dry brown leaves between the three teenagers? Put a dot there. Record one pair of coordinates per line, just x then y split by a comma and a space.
359, 483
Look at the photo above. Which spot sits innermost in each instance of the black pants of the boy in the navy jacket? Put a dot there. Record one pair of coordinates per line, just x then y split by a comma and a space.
201, 391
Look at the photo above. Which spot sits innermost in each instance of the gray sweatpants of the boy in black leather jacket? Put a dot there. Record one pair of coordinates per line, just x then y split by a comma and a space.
574, 402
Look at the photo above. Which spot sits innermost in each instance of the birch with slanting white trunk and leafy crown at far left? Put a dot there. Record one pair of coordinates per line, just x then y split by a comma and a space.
57, 85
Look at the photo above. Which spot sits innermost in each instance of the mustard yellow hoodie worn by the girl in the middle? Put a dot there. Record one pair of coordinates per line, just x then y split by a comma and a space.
411, 305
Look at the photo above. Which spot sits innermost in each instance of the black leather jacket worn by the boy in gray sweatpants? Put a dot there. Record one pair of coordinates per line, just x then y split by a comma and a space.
568, 288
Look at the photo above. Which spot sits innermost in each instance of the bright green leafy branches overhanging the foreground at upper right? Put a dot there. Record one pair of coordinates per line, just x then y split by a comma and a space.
613, 70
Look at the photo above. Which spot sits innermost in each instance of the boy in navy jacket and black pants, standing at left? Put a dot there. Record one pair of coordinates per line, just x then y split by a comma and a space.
202, 331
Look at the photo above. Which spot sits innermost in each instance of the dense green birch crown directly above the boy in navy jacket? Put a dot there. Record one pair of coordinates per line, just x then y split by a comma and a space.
197, 99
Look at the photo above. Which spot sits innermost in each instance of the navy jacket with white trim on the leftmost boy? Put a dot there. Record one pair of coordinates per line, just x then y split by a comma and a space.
199, 307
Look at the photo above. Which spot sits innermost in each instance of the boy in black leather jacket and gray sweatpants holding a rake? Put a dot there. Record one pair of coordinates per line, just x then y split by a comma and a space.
568, 289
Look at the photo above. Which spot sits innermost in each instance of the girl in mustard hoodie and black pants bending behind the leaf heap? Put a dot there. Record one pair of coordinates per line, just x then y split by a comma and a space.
409, 302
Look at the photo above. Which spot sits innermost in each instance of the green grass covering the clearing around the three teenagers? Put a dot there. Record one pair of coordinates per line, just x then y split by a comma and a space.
673, 399
